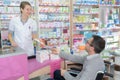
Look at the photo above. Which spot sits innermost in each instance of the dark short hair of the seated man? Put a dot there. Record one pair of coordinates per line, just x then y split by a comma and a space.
98, 43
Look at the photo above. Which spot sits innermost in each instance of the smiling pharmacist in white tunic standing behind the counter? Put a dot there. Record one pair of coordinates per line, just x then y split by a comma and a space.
23, 29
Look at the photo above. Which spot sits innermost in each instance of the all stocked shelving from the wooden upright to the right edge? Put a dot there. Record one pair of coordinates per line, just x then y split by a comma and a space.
94, 17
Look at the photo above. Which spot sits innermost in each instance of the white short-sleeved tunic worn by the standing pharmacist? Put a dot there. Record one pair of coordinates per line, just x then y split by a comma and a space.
23, 33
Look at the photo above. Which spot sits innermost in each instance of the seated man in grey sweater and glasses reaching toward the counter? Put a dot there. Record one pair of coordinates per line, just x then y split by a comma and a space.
91, 63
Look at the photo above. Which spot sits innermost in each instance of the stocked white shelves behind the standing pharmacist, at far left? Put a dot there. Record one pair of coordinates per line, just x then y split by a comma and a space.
8, 10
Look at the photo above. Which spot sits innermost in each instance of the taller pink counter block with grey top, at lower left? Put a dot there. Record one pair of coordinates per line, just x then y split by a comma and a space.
13, 64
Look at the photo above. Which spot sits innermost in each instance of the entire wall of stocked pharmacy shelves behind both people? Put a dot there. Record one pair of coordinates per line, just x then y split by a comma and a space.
68, 23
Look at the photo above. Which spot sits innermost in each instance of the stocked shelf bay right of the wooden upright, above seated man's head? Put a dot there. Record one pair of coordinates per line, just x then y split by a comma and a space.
85, 19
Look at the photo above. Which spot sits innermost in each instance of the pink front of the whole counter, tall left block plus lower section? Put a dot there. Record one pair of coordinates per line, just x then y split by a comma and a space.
13, 67
